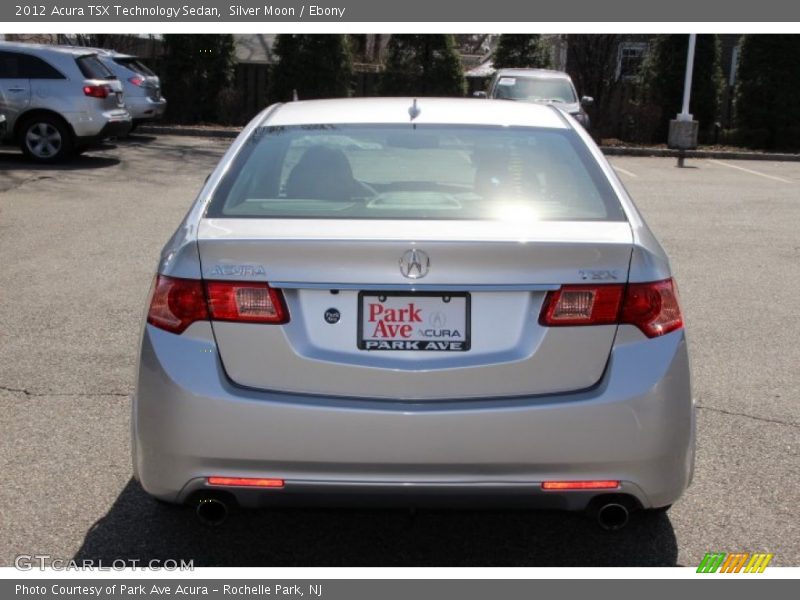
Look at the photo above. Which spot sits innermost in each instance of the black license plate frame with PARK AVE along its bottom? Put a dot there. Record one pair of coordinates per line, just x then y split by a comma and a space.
422, 345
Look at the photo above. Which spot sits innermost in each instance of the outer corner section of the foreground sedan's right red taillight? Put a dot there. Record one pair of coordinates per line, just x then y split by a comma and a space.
652, 307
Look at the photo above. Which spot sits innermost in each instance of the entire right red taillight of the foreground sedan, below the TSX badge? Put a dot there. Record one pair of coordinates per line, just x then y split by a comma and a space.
653, 307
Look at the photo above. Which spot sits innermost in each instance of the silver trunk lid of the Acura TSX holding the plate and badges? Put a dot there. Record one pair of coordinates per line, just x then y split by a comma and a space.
346, 286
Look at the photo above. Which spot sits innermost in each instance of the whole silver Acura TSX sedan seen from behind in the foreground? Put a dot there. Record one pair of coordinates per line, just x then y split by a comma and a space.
415, 302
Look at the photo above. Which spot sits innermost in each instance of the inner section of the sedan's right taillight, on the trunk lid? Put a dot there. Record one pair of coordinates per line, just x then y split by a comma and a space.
582, 305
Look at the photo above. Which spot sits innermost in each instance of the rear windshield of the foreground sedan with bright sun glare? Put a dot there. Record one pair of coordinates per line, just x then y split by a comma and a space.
415, 172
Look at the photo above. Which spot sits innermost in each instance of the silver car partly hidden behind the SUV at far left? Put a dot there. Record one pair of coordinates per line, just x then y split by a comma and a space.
142, 86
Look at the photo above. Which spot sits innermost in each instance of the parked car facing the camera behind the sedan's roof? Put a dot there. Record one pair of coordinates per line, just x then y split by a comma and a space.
543, 86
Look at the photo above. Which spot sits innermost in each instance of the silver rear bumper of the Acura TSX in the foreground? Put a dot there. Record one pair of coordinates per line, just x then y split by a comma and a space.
635, 426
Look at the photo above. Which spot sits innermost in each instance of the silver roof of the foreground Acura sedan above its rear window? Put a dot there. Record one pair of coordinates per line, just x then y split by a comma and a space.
450, 111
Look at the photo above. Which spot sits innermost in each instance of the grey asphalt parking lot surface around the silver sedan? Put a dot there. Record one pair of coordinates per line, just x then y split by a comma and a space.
78, 246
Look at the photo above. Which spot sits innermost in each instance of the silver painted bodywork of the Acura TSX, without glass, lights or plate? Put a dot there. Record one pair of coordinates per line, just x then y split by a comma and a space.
526, 404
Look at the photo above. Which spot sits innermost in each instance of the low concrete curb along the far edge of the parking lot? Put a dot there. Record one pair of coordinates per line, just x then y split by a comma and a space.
230, 133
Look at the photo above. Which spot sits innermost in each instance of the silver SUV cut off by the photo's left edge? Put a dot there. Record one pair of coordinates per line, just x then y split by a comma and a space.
58, 101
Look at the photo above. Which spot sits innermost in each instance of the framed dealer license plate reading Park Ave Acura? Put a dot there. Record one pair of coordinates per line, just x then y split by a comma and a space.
424, 321
